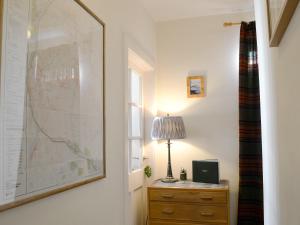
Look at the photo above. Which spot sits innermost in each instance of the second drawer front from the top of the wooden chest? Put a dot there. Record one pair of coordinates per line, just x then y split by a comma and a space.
188, 212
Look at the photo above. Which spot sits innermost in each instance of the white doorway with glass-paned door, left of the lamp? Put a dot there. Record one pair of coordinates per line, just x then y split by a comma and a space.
139, 98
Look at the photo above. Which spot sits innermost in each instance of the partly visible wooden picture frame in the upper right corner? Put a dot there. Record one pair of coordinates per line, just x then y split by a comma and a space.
280, 13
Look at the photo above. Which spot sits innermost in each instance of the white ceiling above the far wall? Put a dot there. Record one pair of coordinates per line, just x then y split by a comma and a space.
163, 10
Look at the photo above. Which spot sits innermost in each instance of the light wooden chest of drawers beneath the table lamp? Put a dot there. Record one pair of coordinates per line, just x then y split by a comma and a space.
188, 203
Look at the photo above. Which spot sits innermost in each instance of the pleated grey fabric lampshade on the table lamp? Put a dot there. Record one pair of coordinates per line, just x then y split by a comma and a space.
168, 128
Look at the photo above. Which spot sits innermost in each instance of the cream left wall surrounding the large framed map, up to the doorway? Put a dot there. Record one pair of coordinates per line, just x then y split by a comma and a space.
101, 202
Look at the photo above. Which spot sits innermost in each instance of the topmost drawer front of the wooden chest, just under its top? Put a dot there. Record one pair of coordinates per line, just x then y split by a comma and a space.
188, 196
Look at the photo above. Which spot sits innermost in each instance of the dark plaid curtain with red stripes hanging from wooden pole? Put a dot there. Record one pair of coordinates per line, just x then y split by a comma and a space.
250, 208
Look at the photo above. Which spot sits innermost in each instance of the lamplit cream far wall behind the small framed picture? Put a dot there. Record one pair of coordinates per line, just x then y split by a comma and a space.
201, 44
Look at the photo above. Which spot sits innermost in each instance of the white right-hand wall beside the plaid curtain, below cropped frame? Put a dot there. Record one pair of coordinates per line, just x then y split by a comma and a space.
279, 74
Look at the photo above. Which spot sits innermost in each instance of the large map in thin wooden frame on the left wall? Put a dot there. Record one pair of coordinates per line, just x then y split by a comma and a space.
52, 125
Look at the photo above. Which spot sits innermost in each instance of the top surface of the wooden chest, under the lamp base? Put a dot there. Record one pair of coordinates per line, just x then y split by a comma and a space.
190, 185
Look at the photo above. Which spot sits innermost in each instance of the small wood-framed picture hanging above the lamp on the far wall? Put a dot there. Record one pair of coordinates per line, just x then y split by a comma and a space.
195, 86
